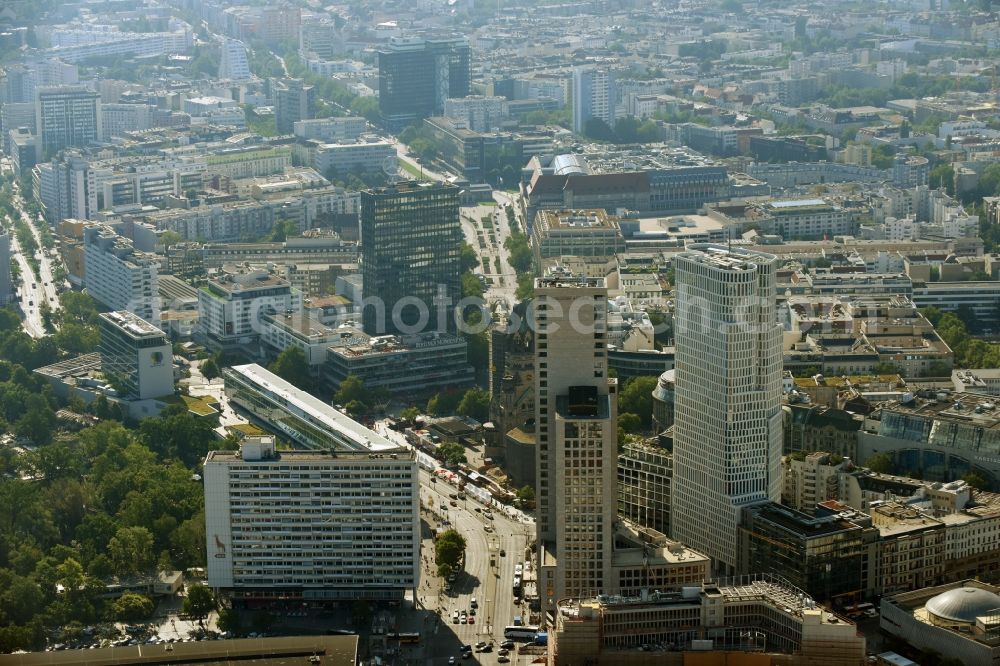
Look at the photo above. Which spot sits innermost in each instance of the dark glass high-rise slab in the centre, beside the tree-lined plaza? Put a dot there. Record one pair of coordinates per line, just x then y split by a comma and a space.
410, 243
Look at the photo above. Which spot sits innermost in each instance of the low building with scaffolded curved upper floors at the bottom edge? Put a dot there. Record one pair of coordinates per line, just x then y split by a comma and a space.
758, 614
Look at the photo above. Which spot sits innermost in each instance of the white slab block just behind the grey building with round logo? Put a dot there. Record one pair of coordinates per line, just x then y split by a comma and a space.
118, 276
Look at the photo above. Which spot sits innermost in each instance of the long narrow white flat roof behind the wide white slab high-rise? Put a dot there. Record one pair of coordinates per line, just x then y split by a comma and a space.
346, 432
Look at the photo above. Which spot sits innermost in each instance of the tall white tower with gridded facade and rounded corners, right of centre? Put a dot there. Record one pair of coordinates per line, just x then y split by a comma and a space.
727, 403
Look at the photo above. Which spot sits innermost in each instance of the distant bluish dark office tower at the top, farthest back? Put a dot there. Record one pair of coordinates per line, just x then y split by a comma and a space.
417, 75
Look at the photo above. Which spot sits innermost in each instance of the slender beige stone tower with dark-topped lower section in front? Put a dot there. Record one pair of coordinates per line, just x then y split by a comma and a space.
576, 412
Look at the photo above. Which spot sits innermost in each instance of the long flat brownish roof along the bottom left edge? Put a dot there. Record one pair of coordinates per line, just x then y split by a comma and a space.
330, 650
